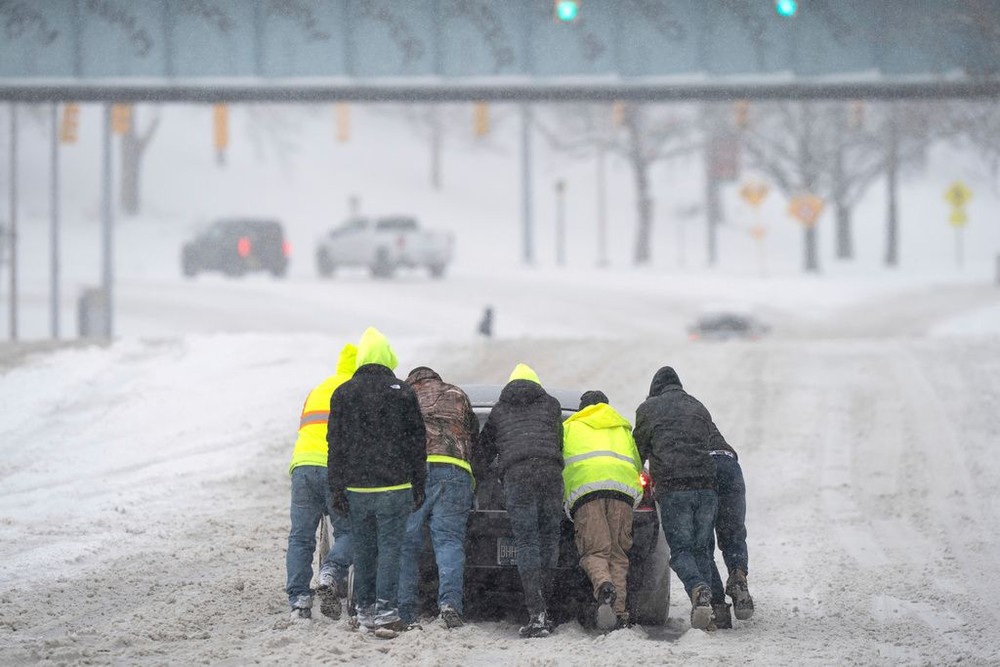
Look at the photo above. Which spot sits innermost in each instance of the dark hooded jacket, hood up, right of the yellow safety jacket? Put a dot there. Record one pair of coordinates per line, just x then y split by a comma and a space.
674, 431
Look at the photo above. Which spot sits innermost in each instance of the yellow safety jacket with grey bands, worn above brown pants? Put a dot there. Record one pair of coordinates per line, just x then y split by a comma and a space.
599, 454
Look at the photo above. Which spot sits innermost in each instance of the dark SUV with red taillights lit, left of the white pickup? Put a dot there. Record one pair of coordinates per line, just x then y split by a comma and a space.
236, 246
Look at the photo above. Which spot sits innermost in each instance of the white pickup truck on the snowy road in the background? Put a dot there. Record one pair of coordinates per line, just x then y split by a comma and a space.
383, 245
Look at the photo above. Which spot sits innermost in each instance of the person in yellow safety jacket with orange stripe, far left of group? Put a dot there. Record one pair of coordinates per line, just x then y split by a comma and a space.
311, 501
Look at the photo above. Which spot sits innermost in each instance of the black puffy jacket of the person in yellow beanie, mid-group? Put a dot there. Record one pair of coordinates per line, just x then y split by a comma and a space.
524, 427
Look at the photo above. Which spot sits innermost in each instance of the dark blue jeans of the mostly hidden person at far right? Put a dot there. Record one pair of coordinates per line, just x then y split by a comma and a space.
730, 522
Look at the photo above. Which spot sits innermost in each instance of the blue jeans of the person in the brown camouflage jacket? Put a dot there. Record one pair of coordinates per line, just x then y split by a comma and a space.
447, 506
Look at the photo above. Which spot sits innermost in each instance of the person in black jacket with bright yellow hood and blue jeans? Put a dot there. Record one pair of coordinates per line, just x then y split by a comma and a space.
376, 470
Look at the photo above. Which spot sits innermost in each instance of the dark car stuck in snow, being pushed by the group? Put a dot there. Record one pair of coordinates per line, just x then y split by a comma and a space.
492, 584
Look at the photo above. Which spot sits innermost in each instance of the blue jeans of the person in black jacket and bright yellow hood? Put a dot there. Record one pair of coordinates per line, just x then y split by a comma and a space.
378, 521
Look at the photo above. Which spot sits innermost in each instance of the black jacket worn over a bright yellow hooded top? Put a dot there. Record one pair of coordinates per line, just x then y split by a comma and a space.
375, 434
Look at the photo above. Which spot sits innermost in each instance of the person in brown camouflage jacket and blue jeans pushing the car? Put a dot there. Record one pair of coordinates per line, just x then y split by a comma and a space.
452, 429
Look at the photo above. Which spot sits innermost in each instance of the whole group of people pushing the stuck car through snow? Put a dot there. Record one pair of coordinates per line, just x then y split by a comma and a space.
384, 456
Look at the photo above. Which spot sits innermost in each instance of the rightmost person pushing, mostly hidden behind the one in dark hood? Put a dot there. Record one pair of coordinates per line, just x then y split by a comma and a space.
731, 531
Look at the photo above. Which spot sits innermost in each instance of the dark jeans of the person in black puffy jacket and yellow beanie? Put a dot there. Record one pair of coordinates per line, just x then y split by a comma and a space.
535, 511
